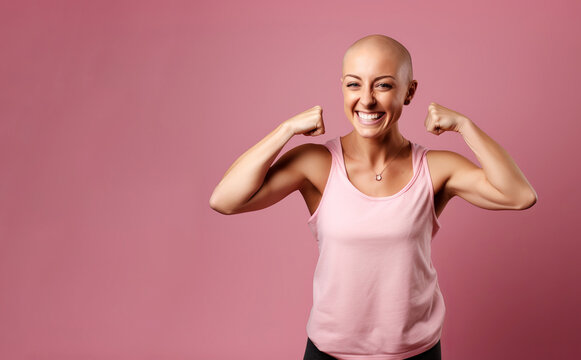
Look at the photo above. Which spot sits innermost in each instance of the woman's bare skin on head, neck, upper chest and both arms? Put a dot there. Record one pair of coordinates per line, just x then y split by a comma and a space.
377, 78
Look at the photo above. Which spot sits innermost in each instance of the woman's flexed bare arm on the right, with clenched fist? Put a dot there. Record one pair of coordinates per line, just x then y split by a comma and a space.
499, 184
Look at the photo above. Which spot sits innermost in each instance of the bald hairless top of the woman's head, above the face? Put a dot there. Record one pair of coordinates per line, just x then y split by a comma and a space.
381, 45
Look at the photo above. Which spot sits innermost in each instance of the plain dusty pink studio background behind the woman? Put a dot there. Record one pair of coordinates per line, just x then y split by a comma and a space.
118, 118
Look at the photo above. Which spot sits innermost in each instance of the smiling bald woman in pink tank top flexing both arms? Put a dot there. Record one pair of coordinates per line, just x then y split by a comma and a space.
374, 199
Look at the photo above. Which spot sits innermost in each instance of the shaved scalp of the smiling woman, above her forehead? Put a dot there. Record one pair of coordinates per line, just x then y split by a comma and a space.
390, 46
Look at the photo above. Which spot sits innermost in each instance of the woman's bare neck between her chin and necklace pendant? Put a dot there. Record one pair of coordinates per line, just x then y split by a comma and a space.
374, 152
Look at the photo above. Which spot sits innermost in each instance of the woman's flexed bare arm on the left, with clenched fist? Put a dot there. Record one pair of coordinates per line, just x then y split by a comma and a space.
247, 179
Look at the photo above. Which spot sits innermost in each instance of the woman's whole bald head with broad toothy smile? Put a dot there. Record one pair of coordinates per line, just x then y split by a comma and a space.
376, 83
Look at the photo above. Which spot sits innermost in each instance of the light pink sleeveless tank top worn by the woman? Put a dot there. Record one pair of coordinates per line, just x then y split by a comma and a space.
375, 290
